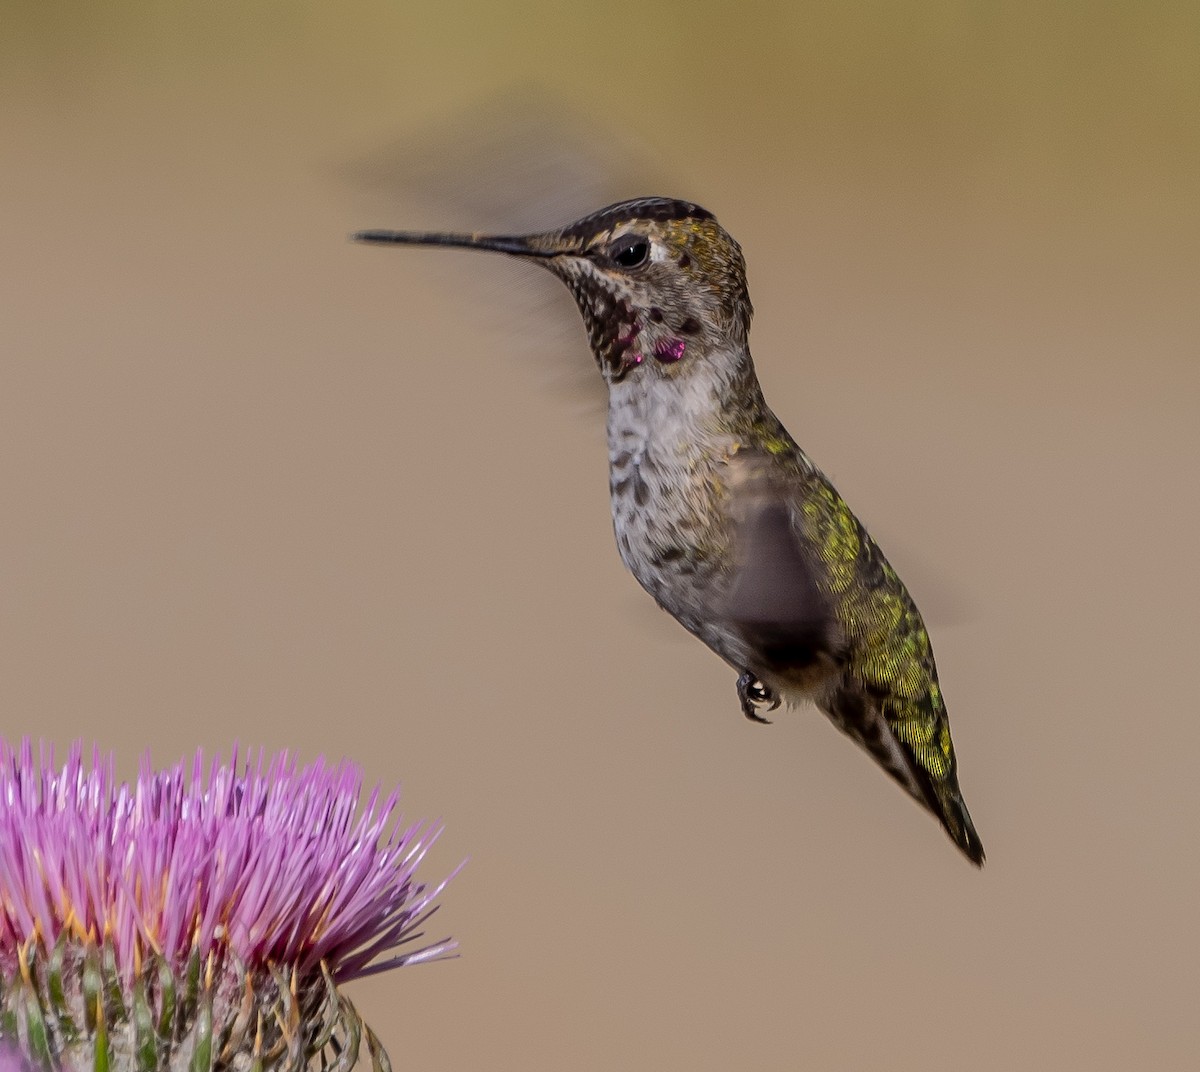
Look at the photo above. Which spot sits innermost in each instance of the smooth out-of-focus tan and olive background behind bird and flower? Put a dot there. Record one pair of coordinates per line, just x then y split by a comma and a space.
261, 484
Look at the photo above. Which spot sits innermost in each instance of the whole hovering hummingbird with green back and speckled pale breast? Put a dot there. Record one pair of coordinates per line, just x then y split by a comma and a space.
718, 513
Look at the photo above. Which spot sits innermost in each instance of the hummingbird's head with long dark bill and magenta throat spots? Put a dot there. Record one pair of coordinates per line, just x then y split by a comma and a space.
661, 284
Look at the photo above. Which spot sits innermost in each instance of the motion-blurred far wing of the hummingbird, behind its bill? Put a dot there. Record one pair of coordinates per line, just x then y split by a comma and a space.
511, 164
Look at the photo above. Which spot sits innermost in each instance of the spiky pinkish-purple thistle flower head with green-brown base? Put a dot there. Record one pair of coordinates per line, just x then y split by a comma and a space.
200, 918
